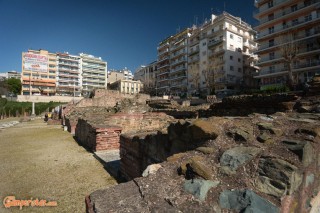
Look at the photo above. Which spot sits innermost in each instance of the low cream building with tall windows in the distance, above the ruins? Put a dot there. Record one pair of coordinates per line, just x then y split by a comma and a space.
127, 86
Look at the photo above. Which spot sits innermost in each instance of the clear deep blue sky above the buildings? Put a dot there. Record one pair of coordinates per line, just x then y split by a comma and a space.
125, 33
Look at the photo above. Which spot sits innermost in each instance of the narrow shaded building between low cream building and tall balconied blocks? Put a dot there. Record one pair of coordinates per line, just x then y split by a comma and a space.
147, 75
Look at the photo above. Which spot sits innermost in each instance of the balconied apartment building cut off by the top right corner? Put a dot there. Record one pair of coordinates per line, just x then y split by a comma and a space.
283, 22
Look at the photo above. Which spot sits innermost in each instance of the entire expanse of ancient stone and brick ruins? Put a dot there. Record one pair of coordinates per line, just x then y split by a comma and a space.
243, 154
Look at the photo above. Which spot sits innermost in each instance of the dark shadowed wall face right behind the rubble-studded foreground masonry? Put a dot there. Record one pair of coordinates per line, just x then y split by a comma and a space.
138, 150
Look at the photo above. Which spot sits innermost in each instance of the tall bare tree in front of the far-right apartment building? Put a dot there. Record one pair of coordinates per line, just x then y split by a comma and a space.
289, 51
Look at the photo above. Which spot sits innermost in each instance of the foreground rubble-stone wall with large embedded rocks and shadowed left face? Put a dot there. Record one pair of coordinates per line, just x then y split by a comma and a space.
246, 164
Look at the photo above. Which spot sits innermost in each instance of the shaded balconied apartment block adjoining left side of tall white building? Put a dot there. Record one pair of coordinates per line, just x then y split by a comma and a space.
172, 64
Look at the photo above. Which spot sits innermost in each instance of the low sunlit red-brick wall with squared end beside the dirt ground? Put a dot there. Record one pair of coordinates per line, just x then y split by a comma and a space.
98, 133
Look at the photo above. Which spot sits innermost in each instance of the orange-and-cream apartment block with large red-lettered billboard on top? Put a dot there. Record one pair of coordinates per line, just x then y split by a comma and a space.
38, 75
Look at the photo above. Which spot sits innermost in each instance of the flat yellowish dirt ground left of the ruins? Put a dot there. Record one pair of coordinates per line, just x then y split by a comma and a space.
44, 162
